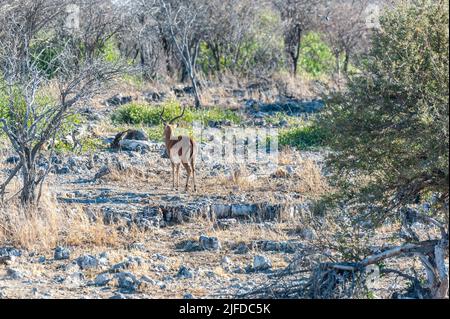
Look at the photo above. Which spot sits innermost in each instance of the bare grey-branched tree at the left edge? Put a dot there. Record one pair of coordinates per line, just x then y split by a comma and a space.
32, 114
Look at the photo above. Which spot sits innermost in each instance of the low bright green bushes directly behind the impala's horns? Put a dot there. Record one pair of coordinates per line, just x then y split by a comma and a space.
145, 114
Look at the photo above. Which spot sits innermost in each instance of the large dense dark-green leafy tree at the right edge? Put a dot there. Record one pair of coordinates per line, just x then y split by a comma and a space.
389, 132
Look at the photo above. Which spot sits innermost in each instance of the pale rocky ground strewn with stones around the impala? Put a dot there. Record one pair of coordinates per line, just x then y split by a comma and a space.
240, 227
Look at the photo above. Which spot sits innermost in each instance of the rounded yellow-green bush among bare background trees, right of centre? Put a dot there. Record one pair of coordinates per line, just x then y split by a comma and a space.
316, 57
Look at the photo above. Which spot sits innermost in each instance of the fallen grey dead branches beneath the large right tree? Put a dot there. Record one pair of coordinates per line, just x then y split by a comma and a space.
348, 279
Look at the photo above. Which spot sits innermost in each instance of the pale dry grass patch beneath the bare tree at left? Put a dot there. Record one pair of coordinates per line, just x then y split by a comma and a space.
51, 224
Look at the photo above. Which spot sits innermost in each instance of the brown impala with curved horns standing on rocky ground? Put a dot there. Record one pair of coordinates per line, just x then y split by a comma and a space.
182, 150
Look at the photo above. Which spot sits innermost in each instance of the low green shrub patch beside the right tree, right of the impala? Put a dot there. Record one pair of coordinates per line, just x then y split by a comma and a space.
302, 137
